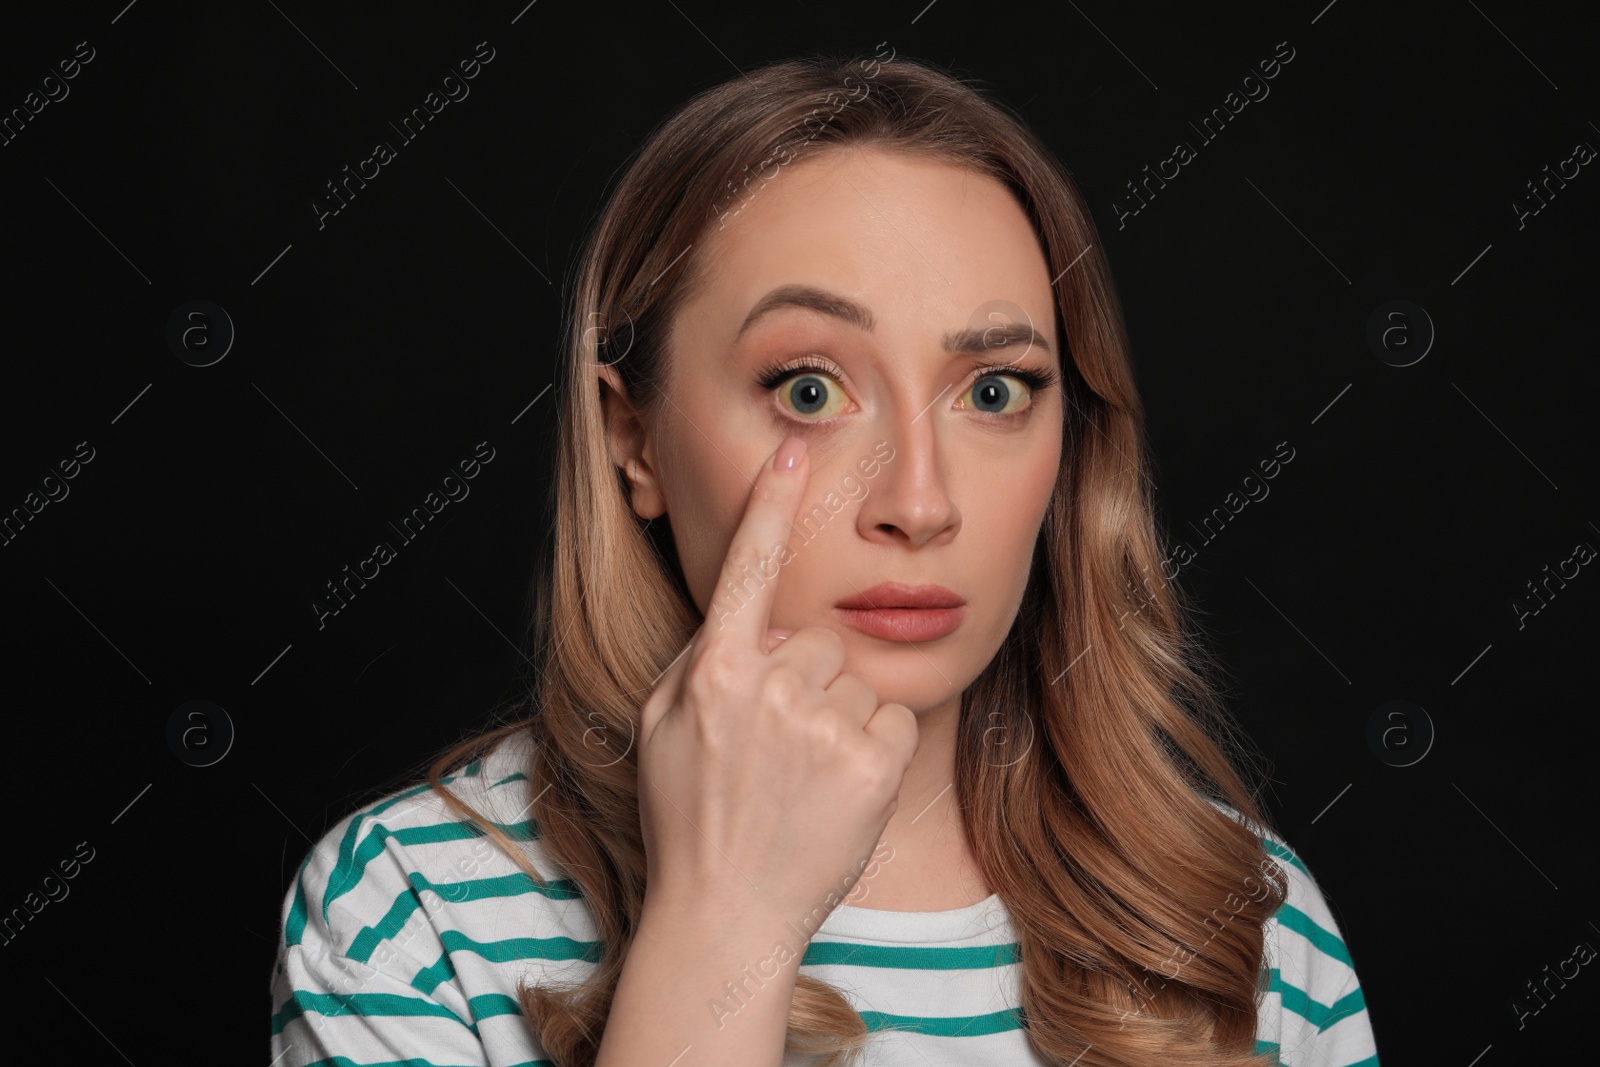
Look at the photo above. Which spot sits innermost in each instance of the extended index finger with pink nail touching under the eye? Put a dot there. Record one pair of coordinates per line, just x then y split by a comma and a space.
742, 604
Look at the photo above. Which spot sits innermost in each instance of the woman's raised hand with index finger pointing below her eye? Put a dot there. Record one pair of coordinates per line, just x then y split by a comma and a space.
766, 773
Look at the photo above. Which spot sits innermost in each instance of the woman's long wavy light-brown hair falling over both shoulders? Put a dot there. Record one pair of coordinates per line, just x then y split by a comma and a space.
1097, 762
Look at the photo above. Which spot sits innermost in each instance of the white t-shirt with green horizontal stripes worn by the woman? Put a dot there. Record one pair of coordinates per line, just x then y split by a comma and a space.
407, 933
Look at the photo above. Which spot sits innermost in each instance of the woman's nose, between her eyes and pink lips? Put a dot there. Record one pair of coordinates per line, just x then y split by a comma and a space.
910, 502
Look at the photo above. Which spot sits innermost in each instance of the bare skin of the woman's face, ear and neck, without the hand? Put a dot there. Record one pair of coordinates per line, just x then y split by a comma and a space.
926, 247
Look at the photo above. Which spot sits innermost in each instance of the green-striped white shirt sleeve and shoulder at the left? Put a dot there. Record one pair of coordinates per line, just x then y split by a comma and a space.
394, 949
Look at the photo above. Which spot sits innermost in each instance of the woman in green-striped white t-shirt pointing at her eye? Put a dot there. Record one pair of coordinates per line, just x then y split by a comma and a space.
865, 721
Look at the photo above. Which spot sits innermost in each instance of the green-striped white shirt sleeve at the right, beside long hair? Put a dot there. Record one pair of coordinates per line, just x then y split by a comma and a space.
1313, 1012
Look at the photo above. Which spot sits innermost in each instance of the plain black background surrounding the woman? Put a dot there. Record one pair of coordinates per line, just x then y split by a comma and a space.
378, 351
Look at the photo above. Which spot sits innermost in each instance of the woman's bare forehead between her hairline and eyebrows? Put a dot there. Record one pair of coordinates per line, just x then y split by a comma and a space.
924, 244
